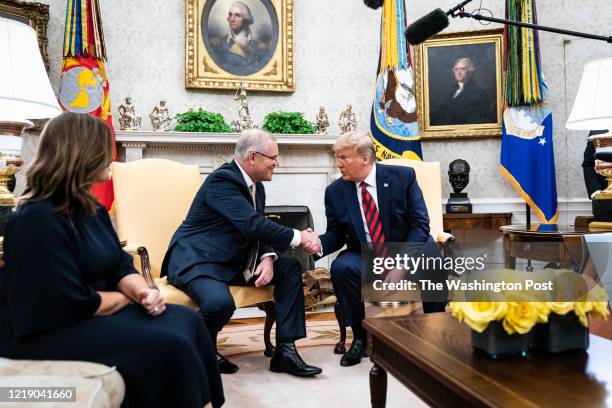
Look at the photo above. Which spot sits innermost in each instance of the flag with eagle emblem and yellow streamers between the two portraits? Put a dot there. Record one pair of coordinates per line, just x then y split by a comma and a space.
393, 120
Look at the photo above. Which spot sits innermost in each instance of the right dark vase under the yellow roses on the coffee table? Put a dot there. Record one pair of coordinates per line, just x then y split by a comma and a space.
561, 333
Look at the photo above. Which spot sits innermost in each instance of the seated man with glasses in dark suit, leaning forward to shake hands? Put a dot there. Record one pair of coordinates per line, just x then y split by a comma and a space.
225, 232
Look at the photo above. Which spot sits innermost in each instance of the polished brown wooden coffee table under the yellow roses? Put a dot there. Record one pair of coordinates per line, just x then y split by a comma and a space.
432, 356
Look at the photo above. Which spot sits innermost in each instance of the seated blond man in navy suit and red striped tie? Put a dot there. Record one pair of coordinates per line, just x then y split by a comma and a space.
396, 212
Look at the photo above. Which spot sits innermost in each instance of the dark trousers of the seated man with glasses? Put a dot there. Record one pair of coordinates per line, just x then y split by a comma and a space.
217, 305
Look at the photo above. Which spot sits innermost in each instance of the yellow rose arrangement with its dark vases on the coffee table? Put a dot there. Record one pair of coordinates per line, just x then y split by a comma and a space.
510, 321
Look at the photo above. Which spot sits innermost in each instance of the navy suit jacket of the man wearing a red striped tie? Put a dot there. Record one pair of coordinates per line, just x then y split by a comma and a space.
400, 204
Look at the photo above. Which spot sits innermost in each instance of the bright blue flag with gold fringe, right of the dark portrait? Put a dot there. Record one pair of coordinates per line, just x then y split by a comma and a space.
527, 152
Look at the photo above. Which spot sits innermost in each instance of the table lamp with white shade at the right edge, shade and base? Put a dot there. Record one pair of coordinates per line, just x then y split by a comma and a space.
592, 110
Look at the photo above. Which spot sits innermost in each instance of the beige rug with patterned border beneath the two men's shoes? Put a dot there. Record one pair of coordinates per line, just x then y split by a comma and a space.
254, 386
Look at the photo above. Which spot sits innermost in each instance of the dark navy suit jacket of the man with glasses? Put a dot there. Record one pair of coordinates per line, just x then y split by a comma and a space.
220, 229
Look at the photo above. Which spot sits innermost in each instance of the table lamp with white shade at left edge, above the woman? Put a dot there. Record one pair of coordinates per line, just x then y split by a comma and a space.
25, 93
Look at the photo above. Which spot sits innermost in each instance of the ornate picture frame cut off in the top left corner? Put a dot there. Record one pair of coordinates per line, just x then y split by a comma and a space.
36, 15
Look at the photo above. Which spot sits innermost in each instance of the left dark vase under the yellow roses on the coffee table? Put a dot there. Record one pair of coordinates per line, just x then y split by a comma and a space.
495, 342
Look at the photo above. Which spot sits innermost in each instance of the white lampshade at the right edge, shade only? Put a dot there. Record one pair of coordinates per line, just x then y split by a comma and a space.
592, 108
